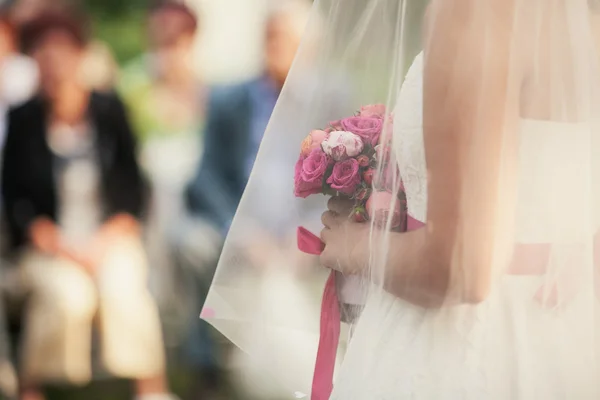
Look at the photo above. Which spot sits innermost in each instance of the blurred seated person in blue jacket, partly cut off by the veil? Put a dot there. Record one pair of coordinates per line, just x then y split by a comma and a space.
237, 117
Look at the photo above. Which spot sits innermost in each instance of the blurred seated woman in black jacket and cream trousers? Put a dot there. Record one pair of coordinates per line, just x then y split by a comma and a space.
73, 195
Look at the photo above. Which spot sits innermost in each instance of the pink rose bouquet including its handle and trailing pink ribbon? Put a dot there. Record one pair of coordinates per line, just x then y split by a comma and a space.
348, 158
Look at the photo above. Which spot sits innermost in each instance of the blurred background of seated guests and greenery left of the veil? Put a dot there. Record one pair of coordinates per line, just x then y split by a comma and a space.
128, 132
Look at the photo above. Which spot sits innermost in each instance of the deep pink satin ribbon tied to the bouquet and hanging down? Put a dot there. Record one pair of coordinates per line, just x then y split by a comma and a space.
329, 332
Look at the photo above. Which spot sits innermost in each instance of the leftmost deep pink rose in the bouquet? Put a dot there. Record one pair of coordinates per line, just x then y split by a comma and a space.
309, 173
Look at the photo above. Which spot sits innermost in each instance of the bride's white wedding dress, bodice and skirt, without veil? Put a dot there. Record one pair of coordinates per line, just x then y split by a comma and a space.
502, 348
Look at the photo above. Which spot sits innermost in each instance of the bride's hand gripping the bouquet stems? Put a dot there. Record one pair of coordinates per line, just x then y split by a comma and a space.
346, 241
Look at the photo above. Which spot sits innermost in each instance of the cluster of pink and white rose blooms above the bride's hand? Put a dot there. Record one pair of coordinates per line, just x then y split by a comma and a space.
349, 159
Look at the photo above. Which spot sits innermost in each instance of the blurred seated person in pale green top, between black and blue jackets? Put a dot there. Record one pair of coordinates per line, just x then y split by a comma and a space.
166, 98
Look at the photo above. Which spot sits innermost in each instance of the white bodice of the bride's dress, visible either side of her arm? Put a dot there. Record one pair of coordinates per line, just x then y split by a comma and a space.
540, 143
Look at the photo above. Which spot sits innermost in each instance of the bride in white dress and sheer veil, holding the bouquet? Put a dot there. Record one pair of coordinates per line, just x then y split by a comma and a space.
491, 294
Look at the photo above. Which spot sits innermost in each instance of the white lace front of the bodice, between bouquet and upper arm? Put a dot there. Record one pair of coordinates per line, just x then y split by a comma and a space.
408, 140
